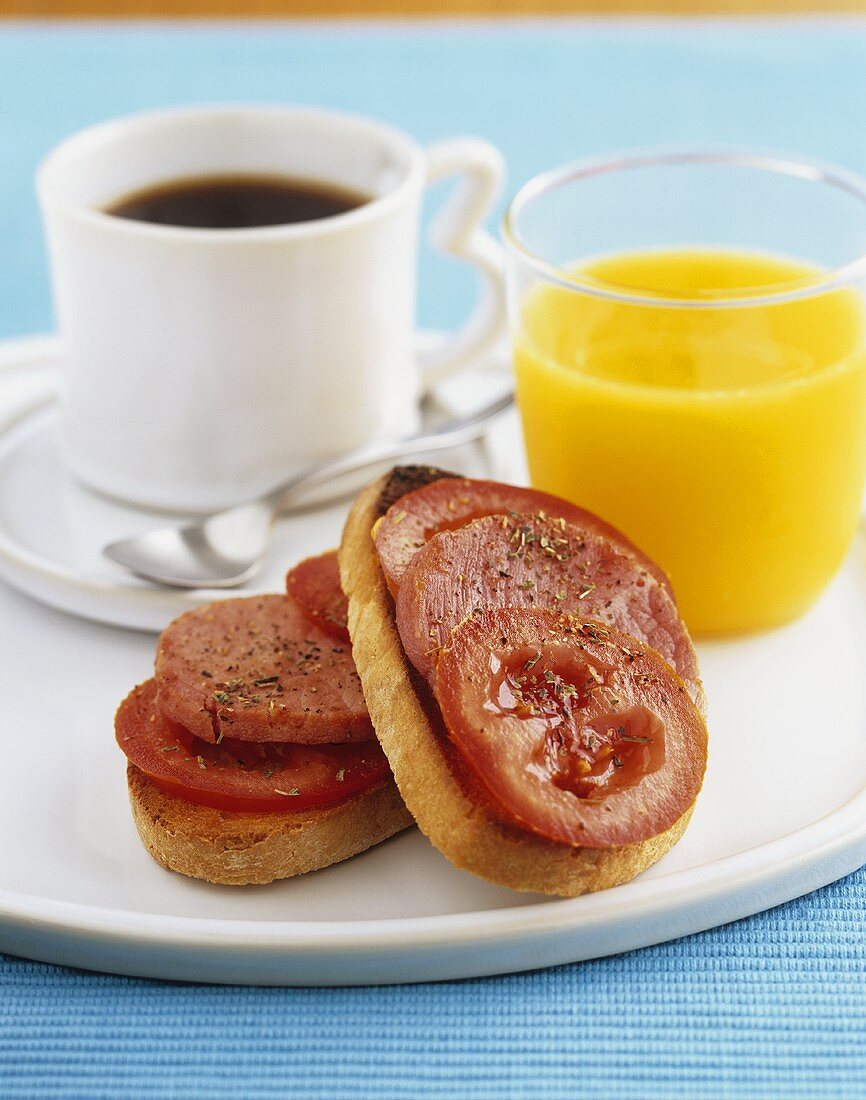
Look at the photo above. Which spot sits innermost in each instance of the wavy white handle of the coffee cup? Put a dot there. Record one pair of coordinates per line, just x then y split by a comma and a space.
458, 232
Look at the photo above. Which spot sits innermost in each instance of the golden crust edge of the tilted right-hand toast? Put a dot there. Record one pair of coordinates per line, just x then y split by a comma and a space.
461, 824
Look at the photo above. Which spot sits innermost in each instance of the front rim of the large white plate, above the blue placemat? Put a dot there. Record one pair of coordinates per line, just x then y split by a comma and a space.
837, 832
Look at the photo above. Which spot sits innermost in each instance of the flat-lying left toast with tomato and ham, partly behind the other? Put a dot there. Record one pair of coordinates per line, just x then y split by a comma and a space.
251, 753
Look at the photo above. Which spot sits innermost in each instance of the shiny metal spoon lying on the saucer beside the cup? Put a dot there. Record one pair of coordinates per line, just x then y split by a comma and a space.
227, 548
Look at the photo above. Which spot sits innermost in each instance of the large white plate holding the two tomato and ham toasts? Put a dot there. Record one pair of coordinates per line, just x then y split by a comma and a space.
783, 812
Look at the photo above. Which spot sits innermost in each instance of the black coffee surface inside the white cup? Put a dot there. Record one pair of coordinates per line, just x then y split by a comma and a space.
242, 202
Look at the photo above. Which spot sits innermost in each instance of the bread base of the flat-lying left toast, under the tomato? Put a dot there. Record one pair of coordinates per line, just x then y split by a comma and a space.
244, 849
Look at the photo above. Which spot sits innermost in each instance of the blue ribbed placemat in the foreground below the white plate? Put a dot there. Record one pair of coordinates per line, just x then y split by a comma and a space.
771, 1007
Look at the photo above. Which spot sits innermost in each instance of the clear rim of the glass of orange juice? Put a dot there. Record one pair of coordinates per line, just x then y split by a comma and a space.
812, 171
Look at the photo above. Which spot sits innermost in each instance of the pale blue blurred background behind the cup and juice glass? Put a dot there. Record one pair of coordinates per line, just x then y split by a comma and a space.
545, 95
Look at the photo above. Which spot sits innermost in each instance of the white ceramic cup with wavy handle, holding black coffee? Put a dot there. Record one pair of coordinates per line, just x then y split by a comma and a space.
203, 367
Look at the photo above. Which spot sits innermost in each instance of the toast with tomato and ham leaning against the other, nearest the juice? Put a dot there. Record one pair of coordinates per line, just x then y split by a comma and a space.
529, 677
